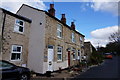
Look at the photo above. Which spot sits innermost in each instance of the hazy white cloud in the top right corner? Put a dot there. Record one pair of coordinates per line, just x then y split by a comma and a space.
110, 6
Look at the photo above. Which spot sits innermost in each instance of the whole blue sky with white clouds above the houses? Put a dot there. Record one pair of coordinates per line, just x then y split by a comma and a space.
96, 19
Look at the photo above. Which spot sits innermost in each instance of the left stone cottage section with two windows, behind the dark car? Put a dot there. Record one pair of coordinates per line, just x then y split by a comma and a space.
14, 37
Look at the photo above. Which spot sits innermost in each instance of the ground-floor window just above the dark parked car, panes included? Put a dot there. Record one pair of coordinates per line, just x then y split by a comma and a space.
16, 52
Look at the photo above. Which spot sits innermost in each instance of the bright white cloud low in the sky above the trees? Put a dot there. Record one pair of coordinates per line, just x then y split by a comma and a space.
101, 36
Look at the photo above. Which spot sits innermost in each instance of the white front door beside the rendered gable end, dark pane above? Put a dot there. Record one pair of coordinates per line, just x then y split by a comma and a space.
50, 57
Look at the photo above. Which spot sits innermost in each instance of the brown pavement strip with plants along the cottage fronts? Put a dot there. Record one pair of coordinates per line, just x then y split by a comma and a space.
64, 74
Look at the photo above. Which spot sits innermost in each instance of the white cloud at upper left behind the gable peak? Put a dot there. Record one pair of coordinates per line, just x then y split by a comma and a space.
14, 5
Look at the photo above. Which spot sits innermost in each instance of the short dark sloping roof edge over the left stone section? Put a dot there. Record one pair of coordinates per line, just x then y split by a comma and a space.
15, 15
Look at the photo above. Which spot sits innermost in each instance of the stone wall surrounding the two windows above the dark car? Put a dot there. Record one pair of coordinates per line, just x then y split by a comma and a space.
13, 38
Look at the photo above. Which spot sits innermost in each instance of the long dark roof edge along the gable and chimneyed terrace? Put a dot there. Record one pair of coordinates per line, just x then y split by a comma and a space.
53, 18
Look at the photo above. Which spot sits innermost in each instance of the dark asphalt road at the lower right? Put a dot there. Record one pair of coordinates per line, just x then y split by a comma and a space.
109, 70
